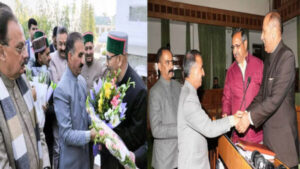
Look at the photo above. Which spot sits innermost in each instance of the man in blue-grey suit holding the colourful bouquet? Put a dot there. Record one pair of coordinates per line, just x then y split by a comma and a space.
69, 104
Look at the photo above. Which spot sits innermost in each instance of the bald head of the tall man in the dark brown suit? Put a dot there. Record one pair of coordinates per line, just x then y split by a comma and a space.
271, 32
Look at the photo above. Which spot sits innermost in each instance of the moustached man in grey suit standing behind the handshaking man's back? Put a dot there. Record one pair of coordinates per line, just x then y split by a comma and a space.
163, 104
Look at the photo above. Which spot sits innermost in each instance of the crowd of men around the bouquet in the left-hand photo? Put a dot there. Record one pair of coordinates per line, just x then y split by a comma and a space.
68, 63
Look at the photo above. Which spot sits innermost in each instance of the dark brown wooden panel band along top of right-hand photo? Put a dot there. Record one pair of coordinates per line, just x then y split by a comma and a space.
205, 15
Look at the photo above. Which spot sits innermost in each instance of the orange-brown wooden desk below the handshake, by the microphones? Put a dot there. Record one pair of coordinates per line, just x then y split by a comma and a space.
232, 158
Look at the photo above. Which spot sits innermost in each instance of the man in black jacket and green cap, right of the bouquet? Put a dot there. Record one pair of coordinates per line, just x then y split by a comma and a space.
133, 129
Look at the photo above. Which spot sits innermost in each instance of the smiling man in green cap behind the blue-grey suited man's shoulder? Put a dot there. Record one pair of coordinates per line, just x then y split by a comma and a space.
92, 70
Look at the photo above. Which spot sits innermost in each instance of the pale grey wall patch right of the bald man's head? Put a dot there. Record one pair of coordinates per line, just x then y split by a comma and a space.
289, 36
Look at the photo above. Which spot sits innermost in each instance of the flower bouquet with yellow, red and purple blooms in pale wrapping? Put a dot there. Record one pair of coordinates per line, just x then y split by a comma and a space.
106, 109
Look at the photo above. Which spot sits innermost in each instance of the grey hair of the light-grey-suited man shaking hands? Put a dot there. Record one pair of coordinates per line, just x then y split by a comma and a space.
189, 60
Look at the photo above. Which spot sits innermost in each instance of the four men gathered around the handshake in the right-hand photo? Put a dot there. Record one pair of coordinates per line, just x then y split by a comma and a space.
258, 99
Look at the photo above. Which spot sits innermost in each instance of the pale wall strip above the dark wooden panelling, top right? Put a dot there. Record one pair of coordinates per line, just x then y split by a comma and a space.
257, 7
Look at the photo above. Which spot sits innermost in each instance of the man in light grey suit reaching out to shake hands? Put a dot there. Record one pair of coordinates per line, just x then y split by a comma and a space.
193, 123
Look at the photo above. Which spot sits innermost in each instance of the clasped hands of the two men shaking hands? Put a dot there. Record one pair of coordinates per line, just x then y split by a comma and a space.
241, 121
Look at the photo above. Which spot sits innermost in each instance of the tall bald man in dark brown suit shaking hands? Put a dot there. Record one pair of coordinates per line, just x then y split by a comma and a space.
274, 106
